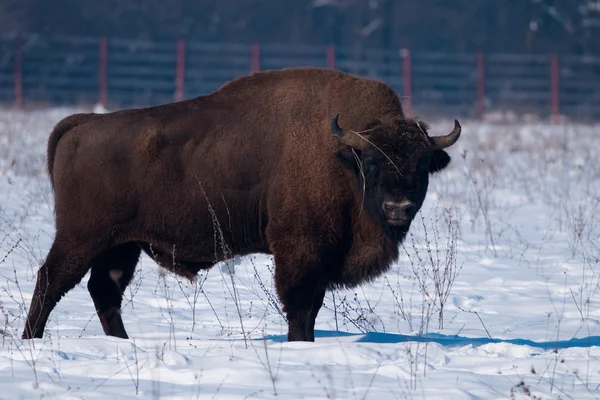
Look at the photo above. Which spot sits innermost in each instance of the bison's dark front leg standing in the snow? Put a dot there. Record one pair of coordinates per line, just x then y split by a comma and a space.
299, 286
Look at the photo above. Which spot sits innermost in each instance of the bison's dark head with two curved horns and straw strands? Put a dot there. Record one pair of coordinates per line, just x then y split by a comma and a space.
392, 161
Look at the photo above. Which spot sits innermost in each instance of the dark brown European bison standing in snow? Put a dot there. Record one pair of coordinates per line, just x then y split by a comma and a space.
317, 167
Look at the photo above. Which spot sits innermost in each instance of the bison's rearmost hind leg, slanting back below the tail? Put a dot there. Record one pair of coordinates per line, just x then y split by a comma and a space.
64, 268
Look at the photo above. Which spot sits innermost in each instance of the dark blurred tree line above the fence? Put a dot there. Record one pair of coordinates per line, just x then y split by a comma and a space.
564, 26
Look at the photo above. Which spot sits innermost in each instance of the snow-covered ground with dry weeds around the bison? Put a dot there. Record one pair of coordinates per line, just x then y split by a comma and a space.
509, 232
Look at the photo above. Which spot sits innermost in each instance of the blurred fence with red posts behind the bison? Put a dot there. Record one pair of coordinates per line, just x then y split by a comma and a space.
53, 70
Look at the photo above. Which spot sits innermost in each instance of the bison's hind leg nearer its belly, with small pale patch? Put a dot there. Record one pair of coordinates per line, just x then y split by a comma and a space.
112, 271
